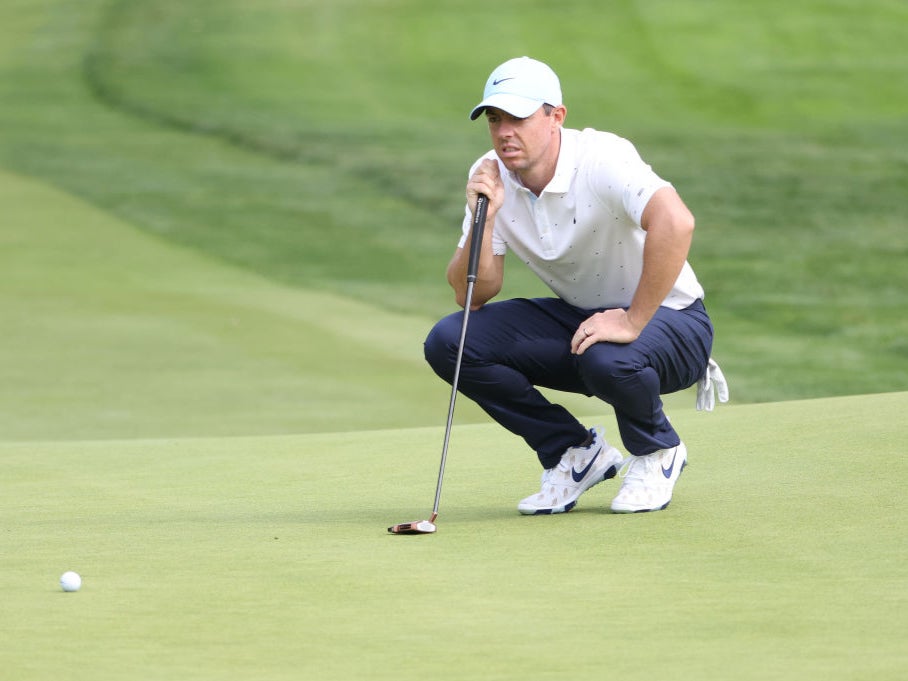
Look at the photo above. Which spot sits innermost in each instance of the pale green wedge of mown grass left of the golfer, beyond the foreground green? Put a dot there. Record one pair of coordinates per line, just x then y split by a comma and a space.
110, 332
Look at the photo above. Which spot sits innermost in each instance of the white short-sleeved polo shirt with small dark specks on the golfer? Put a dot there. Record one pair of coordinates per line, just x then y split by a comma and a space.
582, 235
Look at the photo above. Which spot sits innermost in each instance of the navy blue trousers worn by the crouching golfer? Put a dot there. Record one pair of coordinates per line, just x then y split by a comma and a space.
514, 346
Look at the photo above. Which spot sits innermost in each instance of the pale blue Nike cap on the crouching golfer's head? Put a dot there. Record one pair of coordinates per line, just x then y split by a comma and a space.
519, 87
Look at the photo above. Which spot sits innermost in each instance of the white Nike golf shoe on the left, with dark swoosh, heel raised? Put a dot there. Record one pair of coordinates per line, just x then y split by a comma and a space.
579, 469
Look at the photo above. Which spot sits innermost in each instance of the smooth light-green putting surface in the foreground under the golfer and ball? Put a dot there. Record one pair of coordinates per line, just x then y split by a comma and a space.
782, 556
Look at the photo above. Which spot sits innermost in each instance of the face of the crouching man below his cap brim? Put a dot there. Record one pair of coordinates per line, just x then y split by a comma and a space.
527, 144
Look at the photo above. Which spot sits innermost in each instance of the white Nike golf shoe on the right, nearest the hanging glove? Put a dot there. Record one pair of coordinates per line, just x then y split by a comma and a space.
649, 480
